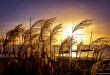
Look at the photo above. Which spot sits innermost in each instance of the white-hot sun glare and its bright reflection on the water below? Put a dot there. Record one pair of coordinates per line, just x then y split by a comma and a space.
77, 35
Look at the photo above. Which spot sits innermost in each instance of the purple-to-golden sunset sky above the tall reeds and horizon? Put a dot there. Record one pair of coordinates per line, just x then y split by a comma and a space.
67, 12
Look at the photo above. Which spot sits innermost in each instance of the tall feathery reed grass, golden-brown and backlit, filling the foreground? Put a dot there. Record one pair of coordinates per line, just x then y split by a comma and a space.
35, 55
